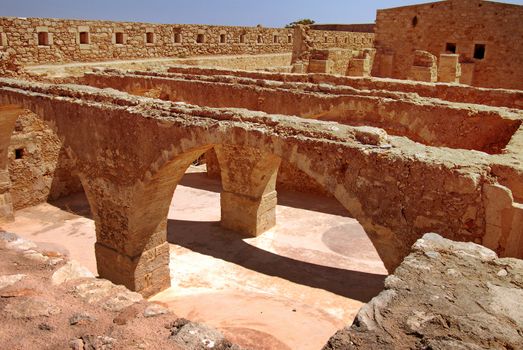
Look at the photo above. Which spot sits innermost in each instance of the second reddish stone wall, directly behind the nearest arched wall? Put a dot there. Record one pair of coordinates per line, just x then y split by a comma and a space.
481, 128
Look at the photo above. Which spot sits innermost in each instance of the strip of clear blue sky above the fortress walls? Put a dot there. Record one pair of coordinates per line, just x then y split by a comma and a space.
269, 13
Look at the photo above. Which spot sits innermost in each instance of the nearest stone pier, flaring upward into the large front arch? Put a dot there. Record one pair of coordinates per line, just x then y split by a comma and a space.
131, 223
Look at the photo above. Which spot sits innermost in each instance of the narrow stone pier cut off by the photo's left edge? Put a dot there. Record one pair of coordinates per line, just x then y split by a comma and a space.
8, 116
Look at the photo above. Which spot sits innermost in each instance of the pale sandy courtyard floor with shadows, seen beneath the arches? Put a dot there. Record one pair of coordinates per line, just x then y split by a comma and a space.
290, 288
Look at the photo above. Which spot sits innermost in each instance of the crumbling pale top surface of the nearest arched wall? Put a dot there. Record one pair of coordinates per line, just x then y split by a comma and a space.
364, 138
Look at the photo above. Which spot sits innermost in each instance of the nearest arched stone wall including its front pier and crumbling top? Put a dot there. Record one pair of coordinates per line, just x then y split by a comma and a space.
376, 176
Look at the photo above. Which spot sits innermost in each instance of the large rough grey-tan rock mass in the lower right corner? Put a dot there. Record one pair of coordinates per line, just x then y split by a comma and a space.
445, 295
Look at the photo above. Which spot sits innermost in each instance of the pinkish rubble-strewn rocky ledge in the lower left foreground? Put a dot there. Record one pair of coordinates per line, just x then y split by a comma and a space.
40, 315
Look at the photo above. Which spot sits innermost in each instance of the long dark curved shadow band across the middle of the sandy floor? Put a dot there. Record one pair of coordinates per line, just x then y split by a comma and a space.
209, 238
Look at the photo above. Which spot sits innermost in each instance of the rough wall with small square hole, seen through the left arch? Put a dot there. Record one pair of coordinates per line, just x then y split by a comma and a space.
39, 169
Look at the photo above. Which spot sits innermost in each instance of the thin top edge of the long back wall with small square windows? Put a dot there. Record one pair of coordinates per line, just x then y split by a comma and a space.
103, 21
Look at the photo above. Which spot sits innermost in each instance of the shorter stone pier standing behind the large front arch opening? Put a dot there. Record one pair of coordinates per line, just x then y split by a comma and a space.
248, 200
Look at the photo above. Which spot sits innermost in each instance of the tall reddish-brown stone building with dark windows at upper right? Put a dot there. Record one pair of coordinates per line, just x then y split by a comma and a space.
462, 24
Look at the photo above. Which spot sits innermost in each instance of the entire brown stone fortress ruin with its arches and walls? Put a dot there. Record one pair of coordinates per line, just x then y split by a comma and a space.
413, 124
